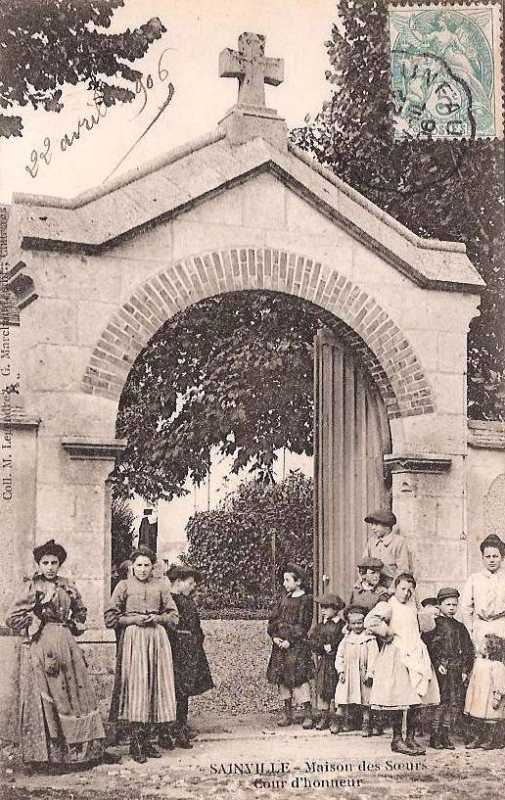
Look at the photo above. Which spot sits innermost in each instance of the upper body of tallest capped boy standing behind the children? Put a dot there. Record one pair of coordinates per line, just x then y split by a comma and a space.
388, 547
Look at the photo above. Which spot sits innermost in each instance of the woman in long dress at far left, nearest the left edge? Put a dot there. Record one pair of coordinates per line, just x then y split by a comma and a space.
60, 722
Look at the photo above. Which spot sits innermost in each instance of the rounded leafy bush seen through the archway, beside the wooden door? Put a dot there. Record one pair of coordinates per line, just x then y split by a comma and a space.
233, 545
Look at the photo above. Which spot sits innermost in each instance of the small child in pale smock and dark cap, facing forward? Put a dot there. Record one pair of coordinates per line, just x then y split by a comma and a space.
355, 661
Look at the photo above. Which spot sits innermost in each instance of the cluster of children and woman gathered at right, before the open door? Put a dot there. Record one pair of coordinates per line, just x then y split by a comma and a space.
386, 652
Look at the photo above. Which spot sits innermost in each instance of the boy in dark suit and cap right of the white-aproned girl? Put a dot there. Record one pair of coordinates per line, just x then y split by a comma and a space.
452, 655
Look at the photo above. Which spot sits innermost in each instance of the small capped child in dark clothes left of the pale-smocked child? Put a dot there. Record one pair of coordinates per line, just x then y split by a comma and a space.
324, 639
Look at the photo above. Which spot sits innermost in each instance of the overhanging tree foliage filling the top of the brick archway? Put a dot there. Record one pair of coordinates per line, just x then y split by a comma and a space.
233, 372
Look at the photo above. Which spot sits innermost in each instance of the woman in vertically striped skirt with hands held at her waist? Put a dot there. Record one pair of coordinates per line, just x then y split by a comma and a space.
141, 607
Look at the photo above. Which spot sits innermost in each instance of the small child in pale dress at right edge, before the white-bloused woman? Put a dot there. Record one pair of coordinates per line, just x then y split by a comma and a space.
486, 694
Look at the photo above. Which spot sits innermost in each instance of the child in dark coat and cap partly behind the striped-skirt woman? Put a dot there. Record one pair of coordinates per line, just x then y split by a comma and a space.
191, 669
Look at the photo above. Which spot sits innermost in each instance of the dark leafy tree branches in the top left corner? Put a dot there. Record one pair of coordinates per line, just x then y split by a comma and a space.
46, 44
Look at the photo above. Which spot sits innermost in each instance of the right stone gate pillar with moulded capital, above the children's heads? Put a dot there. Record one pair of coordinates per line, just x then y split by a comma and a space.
430, 504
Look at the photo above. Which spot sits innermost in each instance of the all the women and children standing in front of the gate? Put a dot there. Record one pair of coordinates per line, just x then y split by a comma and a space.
382, 652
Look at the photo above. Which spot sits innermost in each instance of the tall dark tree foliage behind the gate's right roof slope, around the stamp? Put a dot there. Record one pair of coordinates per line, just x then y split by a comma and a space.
452, 190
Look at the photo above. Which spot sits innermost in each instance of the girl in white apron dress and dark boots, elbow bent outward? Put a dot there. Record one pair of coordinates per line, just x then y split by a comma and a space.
404, 678
